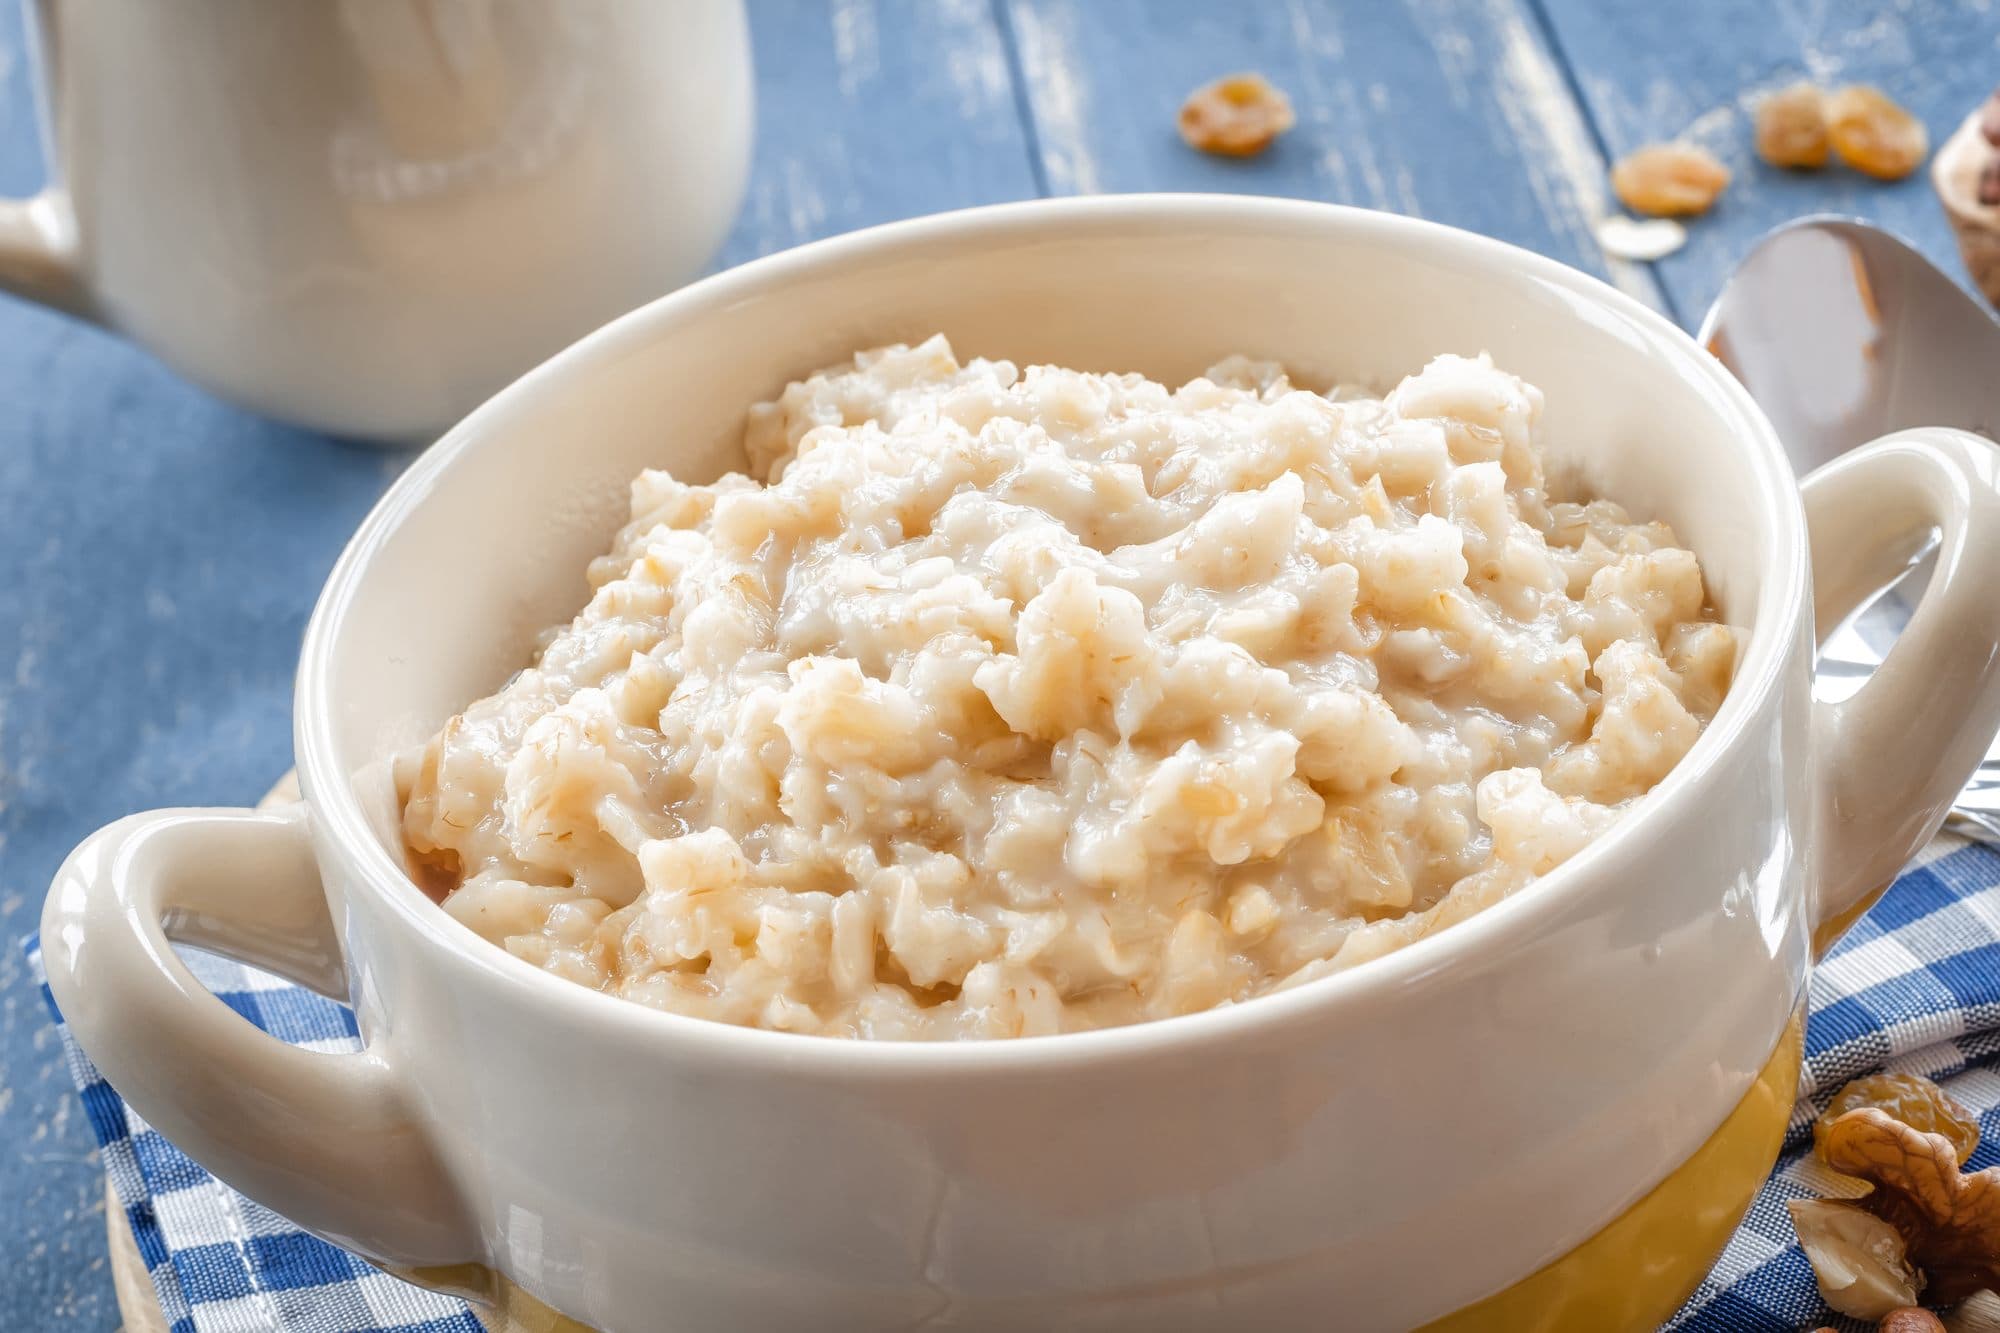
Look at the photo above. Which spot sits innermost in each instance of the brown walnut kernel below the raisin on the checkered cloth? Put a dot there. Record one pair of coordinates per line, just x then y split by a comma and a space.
1949, 1220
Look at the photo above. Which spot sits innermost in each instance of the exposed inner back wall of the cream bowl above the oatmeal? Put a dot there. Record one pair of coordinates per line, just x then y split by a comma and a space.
485, 541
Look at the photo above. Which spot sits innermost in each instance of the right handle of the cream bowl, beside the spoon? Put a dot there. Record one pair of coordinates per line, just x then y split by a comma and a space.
1893, 758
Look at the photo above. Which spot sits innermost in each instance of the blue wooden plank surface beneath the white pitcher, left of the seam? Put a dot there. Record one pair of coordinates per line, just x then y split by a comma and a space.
163, 549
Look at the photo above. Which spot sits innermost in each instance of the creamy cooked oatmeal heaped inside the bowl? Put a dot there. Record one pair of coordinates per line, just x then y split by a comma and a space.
1039, 702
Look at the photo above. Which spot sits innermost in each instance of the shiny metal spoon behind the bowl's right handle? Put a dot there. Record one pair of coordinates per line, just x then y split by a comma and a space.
1845, 333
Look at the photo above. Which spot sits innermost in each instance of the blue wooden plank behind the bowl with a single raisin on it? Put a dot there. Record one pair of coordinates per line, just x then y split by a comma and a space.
1441, 109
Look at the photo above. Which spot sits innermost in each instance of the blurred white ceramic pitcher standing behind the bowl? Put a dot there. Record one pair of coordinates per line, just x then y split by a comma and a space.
369, 215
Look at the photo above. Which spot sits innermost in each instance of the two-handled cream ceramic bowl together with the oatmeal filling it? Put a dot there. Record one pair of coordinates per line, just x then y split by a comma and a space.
1093, 764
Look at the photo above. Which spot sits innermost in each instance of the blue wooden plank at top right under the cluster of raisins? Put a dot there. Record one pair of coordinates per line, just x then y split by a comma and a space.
1665, 71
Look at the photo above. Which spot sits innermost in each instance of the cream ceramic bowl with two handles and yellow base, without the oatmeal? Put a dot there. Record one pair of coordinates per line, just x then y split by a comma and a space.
1399, 1144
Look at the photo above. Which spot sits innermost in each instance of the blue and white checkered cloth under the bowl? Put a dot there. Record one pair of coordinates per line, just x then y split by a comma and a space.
1915, 988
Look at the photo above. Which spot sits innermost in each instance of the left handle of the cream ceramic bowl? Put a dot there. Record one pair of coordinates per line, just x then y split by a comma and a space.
325, 1140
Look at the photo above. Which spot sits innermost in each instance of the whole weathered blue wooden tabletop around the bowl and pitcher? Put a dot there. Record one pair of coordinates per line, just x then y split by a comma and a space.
161, 551
